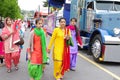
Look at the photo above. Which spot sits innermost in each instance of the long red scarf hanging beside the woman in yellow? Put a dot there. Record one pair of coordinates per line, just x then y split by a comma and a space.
66, 56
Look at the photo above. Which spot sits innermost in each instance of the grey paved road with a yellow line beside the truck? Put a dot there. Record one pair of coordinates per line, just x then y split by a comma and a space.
86, 69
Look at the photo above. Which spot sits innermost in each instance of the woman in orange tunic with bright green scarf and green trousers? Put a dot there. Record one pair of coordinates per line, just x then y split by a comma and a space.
37, 51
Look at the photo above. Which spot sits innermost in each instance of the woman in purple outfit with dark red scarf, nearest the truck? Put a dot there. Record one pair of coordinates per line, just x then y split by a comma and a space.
76, 39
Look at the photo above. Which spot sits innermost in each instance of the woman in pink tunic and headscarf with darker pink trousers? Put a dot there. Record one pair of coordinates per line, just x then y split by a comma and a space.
11, 50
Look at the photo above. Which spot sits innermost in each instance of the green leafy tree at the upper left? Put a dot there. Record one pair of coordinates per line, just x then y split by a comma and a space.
10, 8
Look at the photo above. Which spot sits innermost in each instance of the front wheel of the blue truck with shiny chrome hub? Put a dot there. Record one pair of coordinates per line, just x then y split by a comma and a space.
96, 48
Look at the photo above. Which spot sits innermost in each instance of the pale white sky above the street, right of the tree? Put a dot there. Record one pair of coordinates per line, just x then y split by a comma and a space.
30, 4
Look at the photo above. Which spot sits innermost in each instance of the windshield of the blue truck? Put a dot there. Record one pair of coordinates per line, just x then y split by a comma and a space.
108, 5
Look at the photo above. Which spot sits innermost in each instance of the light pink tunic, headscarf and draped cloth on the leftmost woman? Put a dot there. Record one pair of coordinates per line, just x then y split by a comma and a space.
11, 38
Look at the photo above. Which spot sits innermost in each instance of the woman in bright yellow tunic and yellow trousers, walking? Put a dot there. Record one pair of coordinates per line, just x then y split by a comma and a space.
57, 38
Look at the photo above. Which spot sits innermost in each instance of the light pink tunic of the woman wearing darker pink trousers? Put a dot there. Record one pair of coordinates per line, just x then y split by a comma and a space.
8, 42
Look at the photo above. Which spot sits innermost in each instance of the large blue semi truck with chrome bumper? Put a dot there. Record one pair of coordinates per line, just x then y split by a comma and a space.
99, 23
